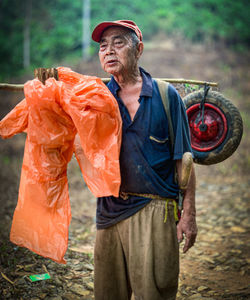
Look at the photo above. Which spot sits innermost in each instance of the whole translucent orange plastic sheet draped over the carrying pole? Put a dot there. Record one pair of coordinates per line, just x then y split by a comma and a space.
79, 114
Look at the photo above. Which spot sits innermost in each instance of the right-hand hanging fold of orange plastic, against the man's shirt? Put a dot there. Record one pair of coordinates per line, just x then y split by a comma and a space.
96, 115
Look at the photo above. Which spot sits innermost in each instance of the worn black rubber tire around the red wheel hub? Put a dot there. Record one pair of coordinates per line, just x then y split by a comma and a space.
234, 123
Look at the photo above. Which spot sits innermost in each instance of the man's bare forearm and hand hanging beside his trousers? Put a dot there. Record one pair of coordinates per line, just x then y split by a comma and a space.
187, 224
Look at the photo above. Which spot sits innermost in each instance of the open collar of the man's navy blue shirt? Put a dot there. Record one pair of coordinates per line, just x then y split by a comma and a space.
147, 85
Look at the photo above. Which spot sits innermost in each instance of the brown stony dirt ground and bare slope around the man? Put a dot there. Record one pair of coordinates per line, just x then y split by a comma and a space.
217, 267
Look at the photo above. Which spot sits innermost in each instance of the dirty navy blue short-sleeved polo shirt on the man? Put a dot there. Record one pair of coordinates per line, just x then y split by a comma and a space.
146, 162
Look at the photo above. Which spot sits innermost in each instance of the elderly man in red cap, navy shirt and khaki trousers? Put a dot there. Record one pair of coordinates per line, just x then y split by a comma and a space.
136, 251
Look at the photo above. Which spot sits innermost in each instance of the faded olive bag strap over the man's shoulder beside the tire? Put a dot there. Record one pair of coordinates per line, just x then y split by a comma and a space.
163, 88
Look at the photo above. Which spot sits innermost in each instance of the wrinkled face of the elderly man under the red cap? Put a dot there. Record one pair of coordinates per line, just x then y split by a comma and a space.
117, 54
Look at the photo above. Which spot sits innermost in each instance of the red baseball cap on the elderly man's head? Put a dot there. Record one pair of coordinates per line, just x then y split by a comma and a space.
97, 32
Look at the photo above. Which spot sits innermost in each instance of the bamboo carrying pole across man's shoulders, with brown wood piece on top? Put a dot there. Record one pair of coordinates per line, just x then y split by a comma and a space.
44, 73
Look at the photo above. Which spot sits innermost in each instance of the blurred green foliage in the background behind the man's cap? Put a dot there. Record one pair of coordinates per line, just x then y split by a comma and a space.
56, 26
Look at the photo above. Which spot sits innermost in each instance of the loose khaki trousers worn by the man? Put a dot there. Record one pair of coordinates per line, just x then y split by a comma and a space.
139, 255
